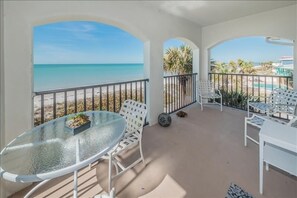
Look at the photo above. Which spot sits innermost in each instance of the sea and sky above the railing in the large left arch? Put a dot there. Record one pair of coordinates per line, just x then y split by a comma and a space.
89, 51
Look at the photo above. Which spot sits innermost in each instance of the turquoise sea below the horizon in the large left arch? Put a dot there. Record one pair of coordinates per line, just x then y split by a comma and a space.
57, 76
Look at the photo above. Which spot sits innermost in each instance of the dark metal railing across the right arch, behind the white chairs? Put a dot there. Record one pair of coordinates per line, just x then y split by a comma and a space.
236, 89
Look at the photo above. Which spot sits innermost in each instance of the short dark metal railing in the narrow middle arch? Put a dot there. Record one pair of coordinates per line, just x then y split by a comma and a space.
179, 91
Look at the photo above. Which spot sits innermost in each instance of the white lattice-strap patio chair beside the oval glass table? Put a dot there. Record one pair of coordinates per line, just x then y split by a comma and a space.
134, 114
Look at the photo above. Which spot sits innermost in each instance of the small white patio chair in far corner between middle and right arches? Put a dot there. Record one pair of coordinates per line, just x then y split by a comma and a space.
206, 91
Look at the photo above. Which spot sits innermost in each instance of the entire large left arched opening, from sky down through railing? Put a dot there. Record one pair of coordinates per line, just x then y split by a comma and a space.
85, 65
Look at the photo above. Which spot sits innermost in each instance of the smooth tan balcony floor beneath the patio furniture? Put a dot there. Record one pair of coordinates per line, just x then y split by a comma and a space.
203, 153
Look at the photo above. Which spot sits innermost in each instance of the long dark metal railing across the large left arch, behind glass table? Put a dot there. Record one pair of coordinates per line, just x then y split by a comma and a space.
51, 104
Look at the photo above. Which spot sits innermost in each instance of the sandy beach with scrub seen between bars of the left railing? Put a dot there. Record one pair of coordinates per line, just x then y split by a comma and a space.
99, 99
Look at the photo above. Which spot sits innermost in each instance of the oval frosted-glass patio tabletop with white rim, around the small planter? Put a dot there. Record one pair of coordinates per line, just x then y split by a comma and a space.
51, 150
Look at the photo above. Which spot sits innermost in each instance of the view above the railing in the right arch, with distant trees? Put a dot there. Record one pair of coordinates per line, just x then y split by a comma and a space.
265, 55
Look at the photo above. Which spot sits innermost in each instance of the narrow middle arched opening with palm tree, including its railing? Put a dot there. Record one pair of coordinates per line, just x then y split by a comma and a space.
180, 64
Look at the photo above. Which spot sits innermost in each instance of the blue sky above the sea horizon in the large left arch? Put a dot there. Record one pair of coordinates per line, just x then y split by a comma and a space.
85, 42
